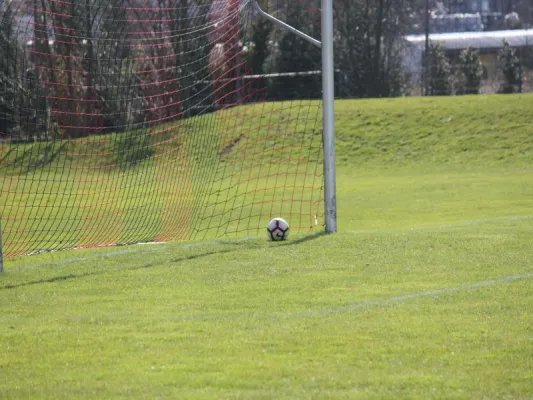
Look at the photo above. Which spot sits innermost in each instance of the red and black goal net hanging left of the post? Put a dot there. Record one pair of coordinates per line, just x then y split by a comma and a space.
126, 121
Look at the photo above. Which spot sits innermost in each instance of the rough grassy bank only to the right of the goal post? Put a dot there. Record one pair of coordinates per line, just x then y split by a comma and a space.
450, 131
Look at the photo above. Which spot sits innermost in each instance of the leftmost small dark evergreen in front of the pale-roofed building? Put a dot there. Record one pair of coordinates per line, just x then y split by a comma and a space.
439, 71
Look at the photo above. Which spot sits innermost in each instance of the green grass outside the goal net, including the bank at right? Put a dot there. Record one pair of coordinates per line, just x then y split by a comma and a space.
425, 292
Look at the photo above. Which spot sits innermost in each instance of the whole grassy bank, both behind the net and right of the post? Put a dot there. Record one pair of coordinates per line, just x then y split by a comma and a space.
492, 130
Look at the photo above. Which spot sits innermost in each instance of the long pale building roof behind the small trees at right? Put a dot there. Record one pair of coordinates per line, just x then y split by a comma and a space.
480, 40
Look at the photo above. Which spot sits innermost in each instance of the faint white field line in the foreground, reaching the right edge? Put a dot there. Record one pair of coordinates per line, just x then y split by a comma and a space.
398, 299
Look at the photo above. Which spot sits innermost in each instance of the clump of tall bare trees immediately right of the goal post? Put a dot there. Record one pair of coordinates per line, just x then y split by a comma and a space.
368, 36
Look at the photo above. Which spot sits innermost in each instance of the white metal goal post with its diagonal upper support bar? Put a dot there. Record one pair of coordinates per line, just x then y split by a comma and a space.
328, 97
